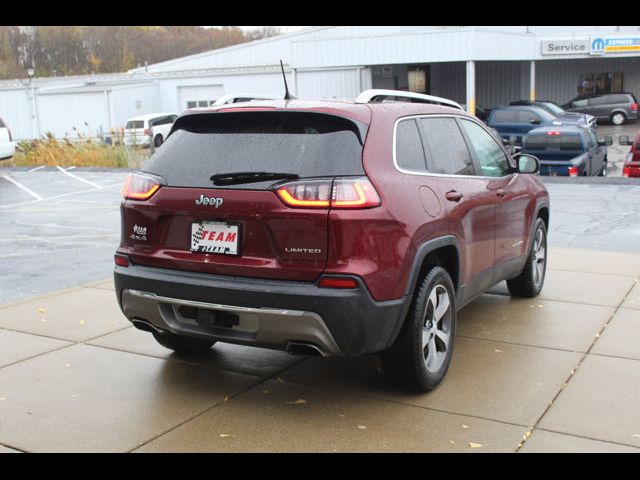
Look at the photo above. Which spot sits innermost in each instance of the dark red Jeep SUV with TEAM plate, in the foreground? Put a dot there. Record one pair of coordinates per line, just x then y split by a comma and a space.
328, 228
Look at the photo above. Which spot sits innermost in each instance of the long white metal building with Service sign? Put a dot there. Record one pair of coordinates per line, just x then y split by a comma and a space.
484, 65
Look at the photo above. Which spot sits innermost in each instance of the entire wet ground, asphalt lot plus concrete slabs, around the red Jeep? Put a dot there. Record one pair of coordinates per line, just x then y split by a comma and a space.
559, 373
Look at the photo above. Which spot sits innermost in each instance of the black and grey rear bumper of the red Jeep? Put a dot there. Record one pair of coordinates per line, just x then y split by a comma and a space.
268, 313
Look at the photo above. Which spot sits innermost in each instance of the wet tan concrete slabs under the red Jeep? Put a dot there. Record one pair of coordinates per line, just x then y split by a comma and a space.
556, 373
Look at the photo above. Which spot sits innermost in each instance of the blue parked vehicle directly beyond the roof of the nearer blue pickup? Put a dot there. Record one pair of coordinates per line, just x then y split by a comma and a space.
514, 122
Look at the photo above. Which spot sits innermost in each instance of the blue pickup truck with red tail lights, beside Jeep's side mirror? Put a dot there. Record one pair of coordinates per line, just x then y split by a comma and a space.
568, 150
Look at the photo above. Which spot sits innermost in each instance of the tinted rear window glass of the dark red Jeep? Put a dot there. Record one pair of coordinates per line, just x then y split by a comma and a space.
300, 143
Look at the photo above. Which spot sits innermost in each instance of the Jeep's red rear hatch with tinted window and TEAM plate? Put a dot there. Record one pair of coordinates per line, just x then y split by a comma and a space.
217, 210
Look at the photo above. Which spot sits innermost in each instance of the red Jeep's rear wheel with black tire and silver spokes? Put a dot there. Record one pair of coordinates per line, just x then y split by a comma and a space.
406, 362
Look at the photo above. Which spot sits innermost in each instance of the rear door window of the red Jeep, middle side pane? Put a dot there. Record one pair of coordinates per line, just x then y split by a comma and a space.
445, 147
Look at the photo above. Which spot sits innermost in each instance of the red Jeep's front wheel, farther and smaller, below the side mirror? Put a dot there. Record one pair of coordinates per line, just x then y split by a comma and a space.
531, 280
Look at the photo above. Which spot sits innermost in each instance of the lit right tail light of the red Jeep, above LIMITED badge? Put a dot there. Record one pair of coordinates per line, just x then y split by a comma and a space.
340, 193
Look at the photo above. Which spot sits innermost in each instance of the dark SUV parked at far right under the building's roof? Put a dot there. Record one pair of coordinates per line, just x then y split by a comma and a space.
616, 108
